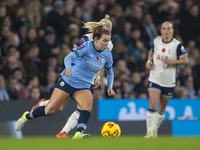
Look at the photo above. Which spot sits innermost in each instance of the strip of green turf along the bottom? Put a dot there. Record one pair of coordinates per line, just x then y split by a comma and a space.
99, 143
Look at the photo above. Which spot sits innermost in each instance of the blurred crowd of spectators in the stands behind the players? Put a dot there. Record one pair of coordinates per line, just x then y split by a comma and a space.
36, 35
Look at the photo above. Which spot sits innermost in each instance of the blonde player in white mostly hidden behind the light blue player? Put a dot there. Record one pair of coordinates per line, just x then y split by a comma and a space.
73, 119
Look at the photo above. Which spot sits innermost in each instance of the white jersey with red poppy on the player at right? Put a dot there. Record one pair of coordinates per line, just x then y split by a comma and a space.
163, 74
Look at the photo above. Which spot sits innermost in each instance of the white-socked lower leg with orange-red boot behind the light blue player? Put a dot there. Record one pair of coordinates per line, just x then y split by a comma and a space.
70, 124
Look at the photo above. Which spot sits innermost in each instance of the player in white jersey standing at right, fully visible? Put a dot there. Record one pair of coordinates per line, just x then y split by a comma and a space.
164, 56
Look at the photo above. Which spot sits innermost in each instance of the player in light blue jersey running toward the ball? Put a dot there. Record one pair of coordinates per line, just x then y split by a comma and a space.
75, 81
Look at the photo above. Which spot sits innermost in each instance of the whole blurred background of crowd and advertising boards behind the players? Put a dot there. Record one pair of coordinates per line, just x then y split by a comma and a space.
36, 35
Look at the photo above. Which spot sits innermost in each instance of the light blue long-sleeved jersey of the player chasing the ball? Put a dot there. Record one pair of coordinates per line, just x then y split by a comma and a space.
88, 62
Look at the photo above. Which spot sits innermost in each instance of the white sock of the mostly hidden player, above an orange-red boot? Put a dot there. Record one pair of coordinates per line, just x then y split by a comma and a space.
71, 122
